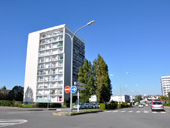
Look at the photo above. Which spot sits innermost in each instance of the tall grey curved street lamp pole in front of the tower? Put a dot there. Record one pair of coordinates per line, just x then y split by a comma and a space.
71, 75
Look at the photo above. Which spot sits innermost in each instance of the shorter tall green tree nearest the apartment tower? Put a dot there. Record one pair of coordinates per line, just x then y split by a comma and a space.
85, 76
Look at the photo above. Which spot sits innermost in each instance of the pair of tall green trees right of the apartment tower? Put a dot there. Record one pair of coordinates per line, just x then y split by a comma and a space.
96, 79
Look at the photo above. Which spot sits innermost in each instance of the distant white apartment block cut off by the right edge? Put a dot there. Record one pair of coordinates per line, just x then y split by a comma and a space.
165, 85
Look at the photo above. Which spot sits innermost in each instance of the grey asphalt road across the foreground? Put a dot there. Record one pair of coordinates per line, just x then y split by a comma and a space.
121, 118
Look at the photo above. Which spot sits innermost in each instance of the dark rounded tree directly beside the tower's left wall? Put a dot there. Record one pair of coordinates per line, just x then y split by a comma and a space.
16, 93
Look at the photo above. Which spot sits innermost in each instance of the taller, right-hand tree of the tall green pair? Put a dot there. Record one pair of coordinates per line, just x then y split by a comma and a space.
102, 80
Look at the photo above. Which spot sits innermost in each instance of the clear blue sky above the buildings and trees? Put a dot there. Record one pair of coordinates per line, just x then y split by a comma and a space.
131, 35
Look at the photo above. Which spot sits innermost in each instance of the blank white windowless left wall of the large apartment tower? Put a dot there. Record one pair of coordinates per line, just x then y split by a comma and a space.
31, 68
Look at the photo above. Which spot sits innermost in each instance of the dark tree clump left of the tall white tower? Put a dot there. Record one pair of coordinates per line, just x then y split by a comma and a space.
15, 94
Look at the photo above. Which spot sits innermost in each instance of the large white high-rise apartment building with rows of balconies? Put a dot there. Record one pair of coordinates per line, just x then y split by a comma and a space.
48, 64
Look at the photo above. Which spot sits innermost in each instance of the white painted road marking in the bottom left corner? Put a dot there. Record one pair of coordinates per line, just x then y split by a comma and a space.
9, 122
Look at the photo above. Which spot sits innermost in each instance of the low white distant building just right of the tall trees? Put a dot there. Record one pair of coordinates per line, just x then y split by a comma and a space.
118, 98
